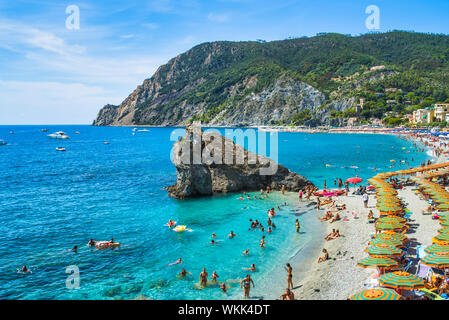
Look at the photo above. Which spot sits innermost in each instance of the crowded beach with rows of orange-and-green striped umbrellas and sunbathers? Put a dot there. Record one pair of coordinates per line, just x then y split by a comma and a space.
387, 236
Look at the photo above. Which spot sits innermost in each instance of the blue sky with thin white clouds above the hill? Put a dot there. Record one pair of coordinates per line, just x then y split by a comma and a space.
55, 71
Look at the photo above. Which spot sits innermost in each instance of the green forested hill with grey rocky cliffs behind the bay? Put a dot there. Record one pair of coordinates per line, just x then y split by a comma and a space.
316, 80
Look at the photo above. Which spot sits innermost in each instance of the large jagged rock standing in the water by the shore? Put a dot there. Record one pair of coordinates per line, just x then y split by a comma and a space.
205, 177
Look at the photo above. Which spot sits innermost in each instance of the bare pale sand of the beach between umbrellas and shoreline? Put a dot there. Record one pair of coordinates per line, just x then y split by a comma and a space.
339, 277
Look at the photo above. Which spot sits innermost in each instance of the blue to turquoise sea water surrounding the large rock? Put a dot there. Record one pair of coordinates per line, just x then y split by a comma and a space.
51, 201
